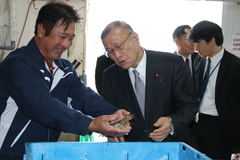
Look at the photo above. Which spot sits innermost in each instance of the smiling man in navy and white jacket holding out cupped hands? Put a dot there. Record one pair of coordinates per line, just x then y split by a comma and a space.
42, 95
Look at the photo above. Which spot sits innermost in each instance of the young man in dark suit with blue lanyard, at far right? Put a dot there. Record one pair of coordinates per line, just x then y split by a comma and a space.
217, 124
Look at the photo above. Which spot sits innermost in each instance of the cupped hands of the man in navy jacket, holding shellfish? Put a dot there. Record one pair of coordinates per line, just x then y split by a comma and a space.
102, 124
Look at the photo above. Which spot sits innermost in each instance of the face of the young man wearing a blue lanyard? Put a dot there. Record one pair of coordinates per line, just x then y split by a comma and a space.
205, 49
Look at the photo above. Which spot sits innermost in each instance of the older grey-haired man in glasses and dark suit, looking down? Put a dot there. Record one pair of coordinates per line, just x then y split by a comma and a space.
165, 111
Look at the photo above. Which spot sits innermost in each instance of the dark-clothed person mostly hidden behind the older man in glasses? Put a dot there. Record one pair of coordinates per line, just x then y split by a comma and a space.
103, 63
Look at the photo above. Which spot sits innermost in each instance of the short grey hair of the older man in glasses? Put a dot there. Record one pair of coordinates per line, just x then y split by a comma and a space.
114, 24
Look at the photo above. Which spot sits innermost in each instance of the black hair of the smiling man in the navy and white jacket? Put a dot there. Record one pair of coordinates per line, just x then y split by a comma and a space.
53, 12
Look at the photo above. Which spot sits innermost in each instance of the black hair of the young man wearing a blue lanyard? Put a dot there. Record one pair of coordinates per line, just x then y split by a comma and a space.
206, 30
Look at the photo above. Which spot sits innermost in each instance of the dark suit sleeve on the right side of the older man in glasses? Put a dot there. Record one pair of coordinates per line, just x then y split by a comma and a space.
184, 96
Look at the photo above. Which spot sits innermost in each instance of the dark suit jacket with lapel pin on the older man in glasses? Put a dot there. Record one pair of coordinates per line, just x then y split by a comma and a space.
169, 92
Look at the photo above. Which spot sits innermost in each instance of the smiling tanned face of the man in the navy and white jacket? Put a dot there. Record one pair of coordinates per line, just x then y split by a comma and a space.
57, 42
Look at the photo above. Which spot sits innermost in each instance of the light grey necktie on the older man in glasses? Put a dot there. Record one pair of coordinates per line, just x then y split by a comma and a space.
139, 91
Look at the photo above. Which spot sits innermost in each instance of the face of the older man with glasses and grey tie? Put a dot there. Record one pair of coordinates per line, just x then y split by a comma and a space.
130, 53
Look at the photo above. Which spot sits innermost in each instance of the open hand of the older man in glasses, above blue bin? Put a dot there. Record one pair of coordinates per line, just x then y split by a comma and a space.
163, 129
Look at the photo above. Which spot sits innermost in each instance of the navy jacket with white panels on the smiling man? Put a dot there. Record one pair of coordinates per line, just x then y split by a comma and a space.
36, 107
